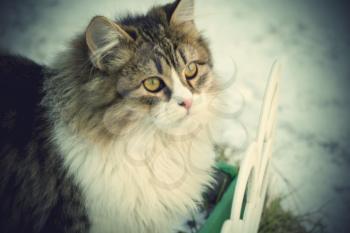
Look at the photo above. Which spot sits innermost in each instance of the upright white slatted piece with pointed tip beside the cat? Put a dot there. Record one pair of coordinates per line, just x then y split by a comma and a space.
254, 169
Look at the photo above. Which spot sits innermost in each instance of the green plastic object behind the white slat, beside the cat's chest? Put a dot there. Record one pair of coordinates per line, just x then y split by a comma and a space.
222, 210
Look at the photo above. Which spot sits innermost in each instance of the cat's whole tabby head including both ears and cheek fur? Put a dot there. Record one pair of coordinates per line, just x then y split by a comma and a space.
153, 70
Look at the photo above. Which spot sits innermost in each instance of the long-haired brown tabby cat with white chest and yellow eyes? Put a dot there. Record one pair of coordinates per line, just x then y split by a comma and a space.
113, 136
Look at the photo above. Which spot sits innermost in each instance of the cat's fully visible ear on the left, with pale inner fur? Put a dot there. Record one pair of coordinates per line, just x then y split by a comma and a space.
102, 35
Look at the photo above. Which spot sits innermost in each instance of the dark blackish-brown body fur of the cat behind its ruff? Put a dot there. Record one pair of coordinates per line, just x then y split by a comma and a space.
35, 192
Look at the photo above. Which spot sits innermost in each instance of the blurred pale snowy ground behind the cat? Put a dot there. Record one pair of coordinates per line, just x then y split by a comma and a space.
311, 37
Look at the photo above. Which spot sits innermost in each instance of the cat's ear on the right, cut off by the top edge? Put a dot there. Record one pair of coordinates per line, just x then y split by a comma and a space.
183, 12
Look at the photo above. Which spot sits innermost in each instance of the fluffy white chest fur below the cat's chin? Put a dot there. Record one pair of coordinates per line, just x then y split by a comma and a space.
140, 184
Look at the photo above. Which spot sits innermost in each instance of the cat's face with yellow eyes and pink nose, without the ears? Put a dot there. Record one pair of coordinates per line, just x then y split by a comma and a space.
168, 88
